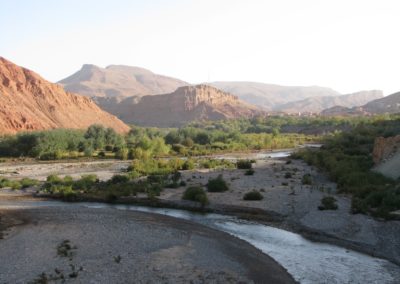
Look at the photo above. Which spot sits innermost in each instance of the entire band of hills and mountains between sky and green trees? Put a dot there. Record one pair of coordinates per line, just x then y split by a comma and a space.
139, 96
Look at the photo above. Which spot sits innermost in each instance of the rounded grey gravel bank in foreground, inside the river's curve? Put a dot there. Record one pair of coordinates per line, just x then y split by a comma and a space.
84, 245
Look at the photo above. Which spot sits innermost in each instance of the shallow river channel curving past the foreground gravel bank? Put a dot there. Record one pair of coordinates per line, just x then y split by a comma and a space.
306, 261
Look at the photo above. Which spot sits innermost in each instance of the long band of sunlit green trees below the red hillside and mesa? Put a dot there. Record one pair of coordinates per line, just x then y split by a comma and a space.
191, 140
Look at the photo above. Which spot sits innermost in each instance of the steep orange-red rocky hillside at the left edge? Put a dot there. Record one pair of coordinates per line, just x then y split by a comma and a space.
28, 102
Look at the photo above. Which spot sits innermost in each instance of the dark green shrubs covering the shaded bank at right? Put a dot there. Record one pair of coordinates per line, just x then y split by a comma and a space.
347, 158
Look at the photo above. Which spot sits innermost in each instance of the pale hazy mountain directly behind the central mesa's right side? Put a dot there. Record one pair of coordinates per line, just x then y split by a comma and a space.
270, 96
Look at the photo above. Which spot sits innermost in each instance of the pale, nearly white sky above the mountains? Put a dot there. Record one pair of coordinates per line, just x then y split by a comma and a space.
348, 45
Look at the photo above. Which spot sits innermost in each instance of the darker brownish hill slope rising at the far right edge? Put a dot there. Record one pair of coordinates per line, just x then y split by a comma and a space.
389, 104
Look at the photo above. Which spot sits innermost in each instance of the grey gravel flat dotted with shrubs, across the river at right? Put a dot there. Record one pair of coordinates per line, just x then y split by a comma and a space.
298, 205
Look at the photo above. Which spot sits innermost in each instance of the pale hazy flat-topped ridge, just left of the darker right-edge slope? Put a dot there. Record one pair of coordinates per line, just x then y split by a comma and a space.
318, 104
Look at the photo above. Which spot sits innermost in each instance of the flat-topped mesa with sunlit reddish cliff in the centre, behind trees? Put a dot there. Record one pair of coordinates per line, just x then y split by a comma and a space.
186, 104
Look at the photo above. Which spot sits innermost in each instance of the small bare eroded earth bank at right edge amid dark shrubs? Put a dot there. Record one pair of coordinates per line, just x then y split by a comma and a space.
385, 148
